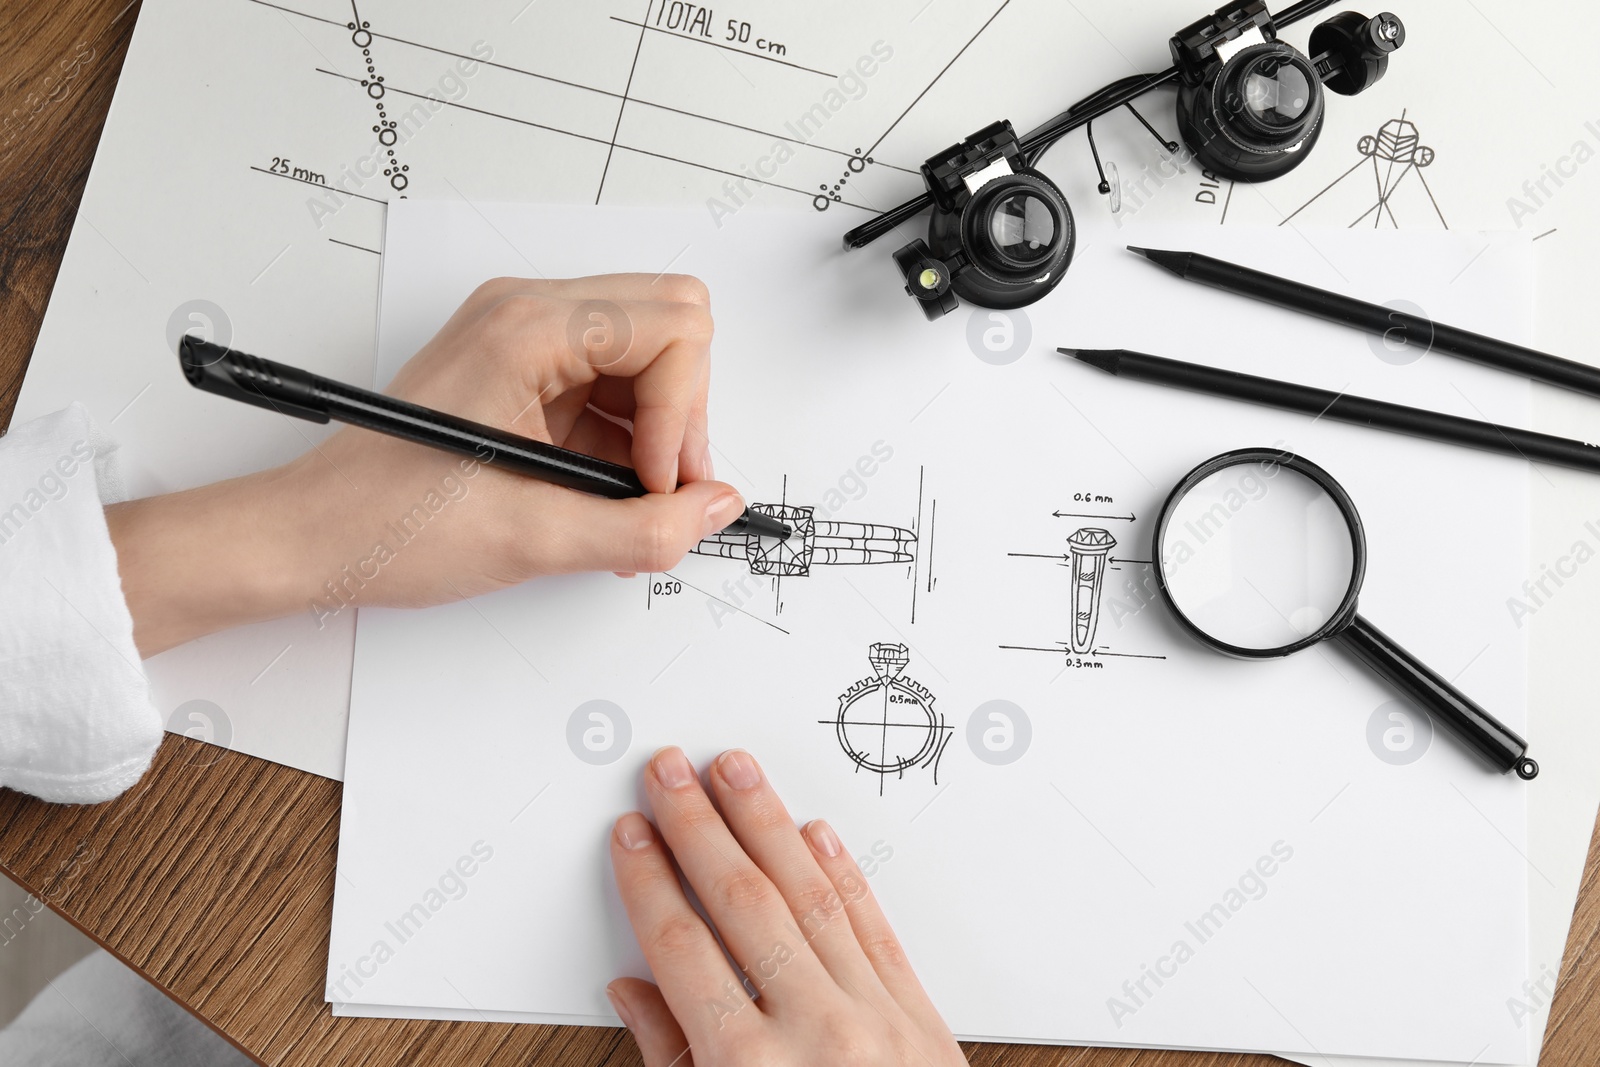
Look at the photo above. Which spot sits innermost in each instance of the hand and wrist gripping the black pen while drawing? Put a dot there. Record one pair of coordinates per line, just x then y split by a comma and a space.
615, 367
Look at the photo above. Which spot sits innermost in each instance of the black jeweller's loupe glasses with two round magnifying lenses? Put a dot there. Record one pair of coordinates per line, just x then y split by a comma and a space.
1249, 108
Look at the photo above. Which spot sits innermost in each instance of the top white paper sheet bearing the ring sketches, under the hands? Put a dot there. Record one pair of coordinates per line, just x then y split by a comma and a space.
1151, 786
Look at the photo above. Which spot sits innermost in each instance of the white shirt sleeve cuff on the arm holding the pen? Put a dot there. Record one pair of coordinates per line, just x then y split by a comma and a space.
76, 716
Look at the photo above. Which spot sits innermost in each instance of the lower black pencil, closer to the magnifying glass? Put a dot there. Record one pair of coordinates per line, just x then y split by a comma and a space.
1346, 409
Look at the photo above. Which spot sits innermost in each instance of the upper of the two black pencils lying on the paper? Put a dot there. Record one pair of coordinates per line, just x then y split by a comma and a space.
1401, 327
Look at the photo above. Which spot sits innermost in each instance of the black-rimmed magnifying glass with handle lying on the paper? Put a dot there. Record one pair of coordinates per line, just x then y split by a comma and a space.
1262, 554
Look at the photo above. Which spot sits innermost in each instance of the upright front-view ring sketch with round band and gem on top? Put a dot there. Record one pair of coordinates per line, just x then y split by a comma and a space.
887, 724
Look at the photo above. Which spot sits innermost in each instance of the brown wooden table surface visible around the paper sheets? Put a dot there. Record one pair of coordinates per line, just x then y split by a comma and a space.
215, 879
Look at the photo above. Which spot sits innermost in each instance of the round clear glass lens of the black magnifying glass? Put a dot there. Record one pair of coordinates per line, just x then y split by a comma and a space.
1255, 561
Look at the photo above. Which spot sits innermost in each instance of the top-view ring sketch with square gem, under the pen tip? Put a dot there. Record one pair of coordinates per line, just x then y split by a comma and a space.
814, 543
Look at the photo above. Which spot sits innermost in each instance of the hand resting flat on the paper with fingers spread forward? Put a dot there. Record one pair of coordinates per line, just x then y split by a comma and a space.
794, 913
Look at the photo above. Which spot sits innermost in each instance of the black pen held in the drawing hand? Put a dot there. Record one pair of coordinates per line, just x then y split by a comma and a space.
305, 396
